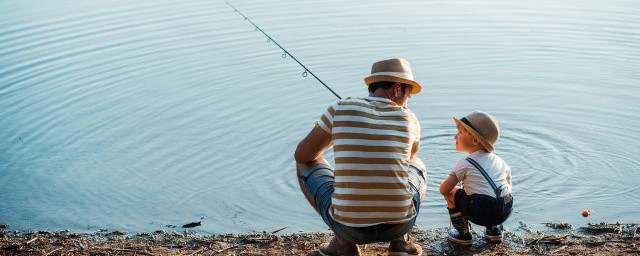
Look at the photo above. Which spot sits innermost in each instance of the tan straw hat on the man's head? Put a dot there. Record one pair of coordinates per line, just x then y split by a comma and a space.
393, 70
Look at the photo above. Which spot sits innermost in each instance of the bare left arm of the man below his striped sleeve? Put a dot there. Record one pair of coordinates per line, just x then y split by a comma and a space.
311, 148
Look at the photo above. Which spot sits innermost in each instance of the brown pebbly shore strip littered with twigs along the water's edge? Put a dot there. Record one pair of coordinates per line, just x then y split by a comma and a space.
556, 239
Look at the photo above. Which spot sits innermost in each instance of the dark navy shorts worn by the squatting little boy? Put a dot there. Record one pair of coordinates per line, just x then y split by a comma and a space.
482, 209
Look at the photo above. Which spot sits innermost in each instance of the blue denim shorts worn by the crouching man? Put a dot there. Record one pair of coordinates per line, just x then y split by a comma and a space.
319, 181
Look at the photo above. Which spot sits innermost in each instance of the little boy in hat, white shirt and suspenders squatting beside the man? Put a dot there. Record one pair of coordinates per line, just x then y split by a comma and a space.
485, 198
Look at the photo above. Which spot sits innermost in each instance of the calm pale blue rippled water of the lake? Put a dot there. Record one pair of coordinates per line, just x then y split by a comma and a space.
133, 116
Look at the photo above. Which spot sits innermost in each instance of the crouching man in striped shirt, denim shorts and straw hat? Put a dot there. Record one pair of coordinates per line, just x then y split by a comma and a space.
375, 192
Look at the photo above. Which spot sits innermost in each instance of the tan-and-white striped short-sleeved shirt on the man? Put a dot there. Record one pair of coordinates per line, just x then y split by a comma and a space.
372, 141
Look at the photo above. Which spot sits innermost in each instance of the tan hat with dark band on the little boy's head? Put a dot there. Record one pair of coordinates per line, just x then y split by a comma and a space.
482, 126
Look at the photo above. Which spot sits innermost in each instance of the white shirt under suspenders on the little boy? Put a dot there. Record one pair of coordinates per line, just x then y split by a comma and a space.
474, 182
